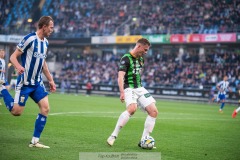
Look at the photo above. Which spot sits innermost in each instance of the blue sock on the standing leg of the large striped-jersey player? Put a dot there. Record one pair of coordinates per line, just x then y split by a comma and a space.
39, 125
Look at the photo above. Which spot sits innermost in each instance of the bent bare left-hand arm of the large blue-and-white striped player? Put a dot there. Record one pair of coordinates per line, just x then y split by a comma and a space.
14, 60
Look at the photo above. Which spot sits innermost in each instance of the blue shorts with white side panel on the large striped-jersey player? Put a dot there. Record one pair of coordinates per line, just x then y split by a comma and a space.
36, 92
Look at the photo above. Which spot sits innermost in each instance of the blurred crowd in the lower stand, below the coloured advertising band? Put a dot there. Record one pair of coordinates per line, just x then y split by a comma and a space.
187, 70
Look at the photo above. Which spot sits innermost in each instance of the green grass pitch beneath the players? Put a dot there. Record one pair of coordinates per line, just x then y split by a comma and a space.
183, 130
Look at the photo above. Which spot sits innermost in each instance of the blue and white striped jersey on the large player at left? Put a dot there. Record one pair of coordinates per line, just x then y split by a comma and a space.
34, 54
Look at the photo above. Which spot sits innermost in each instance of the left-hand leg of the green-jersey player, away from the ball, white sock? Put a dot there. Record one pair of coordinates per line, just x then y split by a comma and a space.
131, 103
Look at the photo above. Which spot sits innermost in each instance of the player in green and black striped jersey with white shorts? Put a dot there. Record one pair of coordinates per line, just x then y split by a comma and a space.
132, 91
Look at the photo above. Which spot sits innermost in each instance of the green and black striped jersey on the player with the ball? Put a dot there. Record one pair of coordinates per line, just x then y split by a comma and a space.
132, 66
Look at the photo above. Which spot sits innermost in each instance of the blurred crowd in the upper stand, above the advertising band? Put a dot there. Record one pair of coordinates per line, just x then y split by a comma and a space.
87, 18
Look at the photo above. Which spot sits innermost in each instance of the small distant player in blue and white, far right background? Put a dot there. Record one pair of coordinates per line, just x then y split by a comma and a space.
222, 87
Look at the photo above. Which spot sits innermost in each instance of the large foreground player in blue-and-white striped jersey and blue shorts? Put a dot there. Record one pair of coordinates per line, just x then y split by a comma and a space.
32, 50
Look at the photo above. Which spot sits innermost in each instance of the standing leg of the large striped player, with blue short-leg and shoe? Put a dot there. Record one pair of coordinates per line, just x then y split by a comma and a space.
41, 98
